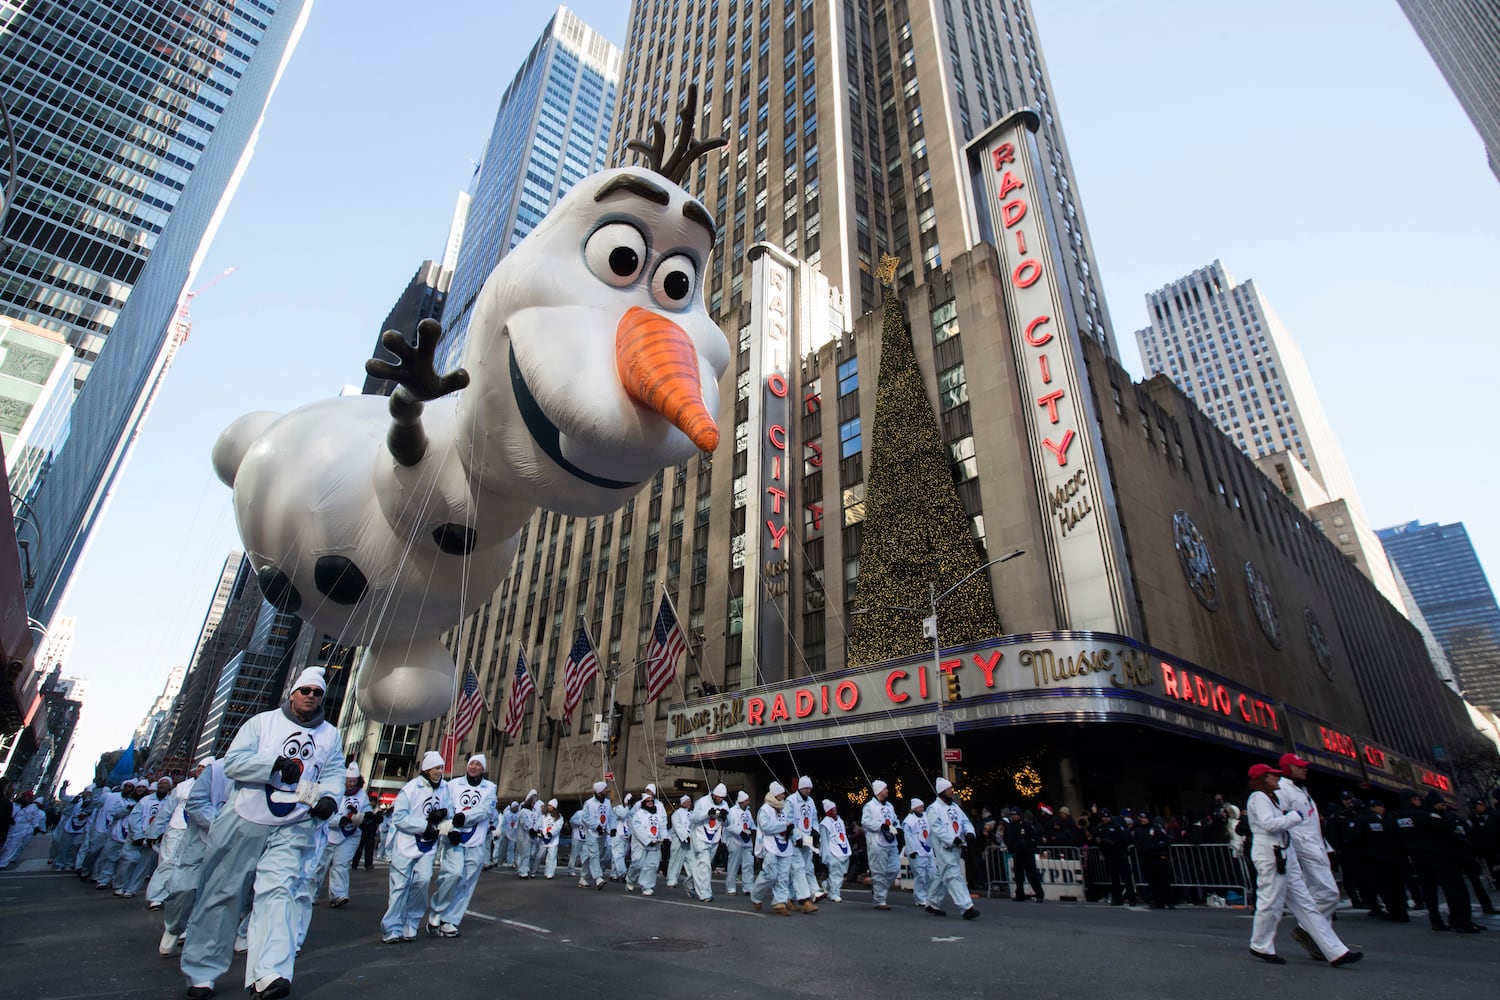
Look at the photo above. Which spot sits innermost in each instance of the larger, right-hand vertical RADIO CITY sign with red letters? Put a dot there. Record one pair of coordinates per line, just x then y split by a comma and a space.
1085, 549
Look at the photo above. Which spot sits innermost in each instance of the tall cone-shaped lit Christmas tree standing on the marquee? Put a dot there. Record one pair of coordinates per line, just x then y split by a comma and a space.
916, 528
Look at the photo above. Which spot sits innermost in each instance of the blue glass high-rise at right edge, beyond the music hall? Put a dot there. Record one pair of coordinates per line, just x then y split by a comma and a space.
1448, 584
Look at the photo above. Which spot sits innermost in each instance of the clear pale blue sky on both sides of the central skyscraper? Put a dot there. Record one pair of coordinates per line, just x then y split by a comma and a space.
1310, 146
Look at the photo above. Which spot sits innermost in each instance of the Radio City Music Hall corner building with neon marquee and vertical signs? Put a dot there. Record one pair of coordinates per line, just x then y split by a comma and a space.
1174, 618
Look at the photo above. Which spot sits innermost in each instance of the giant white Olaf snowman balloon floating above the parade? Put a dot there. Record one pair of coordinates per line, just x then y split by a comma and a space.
590, 365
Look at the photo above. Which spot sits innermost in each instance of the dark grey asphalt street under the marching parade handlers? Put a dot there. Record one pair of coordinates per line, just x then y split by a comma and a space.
64, 941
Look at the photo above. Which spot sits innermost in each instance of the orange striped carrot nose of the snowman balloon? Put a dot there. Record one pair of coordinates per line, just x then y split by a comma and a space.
659, 370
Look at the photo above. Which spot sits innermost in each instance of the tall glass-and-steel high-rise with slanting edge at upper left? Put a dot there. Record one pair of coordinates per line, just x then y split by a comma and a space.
133, 128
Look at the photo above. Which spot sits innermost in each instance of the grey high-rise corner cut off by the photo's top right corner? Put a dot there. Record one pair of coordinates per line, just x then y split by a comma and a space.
1465, 41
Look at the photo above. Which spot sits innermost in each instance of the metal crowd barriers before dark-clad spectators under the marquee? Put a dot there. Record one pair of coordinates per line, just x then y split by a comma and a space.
1081, 873
